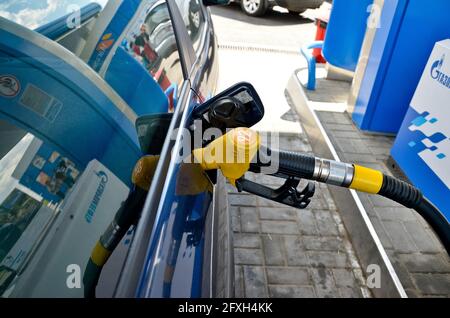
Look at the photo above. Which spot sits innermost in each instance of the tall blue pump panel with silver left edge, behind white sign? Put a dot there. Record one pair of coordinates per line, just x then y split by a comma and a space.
408, 31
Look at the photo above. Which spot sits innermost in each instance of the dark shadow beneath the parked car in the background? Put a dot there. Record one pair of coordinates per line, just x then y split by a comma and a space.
271, 18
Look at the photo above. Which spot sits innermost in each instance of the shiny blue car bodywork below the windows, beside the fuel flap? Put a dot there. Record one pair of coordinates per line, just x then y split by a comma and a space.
177, 251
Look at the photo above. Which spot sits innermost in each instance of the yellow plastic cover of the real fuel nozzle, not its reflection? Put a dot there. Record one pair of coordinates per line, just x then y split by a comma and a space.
232, 153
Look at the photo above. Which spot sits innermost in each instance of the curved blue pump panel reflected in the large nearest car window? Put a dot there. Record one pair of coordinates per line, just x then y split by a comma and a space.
63, 102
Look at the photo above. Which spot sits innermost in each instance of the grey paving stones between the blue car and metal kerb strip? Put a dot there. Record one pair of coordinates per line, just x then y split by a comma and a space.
285, 252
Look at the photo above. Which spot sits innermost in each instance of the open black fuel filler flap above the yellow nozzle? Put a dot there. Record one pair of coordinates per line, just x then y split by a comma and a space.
238, 106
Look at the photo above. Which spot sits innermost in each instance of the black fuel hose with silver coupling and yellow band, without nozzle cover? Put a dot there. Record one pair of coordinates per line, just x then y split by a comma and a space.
291, 164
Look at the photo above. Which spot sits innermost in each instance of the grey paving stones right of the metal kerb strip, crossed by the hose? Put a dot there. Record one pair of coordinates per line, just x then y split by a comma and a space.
419, 259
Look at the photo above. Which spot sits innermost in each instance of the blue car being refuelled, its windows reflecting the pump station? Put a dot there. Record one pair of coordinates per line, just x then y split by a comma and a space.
82, 99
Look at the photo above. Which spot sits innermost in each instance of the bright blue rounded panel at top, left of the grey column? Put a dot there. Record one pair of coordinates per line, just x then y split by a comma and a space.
345, 32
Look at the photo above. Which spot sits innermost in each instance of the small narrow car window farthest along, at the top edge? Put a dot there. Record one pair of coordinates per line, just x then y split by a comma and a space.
194, 20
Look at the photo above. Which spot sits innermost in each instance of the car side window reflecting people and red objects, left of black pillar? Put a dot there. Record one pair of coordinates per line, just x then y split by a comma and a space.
151, 41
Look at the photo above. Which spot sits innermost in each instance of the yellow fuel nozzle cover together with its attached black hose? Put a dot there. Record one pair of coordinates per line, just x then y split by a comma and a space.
244, 143
